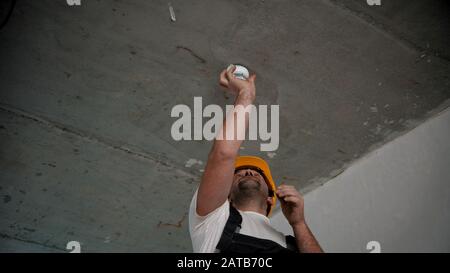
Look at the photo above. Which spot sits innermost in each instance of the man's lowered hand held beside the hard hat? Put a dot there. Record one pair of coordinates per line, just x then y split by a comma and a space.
291, 204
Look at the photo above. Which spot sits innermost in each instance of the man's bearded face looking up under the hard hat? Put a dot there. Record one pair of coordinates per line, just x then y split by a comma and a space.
249, 180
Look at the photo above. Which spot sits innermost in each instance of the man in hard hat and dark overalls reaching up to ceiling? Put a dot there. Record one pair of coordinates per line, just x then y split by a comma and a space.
229, 212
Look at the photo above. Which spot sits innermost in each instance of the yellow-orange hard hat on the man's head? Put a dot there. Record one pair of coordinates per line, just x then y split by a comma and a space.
260, 165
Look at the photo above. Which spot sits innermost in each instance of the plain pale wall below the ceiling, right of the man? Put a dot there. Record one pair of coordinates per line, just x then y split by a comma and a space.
398, 195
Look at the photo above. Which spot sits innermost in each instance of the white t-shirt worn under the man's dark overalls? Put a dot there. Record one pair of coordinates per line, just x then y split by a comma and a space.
206, 230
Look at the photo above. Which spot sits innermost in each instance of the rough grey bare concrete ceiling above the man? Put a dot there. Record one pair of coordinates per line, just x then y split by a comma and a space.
86, 94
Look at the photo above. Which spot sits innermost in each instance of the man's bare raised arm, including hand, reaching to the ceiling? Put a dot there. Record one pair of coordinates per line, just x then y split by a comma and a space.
219, 172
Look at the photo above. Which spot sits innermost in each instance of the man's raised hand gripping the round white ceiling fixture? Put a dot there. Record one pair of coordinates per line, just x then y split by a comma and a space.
235, 85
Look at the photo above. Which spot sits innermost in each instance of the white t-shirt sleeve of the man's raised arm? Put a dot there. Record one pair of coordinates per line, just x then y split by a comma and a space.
206, 230
